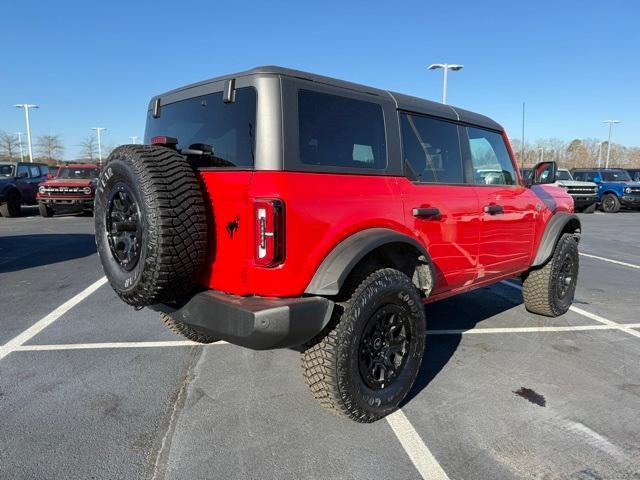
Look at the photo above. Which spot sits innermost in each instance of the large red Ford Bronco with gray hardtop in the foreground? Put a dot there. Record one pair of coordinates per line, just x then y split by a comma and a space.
275, 208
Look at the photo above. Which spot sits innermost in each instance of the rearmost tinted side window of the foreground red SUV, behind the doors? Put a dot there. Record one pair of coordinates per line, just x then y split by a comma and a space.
340, 131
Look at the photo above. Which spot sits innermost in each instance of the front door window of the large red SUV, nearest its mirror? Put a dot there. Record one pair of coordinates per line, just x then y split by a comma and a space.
491, 161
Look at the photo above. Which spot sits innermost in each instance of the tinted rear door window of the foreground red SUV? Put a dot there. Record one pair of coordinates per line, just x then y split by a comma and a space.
431, 150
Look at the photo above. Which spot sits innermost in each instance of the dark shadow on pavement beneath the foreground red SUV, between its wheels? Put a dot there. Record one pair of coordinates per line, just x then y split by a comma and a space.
462, 312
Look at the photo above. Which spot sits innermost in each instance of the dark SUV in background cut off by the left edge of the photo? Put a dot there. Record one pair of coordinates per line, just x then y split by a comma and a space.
19, 185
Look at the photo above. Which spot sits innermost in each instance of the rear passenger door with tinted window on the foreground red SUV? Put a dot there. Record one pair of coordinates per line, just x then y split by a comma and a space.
439, 205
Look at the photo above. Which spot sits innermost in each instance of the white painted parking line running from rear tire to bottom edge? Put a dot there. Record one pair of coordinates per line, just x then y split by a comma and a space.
420, 455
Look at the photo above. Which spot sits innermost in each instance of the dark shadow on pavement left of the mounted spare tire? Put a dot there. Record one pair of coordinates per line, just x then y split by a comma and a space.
20, 252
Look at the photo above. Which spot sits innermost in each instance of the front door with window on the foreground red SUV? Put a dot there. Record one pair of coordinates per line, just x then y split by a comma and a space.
507, 209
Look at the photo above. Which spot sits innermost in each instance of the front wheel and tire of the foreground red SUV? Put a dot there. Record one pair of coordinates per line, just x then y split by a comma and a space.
549, 290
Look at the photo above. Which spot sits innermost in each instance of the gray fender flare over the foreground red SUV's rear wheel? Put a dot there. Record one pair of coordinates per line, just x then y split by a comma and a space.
337, 265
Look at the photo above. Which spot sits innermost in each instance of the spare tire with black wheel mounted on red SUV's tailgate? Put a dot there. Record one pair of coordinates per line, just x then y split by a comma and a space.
150, 222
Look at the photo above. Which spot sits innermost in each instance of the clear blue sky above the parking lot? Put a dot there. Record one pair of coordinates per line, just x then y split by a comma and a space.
87, 64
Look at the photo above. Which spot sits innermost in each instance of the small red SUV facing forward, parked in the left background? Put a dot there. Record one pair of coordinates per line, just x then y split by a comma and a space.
71, 190
